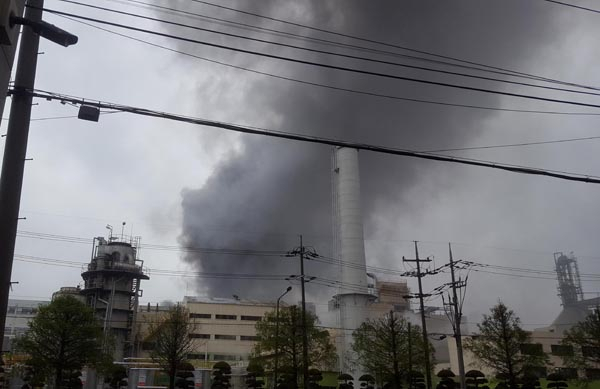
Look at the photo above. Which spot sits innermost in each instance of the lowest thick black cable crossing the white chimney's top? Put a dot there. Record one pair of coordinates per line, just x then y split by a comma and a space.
320, 140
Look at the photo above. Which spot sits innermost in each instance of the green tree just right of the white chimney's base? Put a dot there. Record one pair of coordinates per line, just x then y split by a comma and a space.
382, 347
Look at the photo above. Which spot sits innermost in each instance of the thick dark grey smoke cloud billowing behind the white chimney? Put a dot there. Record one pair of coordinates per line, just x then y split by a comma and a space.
265, 192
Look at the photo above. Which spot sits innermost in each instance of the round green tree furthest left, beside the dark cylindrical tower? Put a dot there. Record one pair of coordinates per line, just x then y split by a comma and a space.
64, 337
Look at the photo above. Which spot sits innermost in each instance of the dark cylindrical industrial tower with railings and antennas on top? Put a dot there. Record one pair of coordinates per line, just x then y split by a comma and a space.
112, 288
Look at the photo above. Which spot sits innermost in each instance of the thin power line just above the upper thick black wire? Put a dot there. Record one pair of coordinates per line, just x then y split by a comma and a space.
347, 56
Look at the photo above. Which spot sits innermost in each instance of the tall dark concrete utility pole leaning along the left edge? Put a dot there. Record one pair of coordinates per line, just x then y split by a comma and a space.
15, 149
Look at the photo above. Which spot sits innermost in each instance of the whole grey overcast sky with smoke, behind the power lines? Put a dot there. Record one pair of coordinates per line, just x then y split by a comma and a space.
177, 184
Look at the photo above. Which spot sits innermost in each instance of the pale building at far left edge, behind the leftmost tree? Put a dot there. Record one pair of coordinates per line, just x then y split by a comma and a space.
18, 316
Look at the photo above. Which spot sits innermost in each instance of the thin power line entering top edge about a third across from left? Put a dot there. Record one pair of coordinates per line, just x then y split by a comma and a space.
381, 43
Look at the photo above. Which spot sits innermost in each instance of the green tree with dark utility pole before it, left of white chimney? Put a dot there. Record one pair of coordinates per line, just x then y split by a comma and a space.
321, 351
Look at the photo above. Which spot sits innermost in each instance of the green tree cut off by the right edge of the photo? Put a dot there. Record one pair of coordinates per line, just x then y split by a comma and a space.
584, 340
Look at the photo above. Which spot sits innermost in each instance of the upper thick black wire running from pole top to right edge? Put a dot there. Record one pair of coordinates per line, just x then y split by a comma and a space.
327, 66
